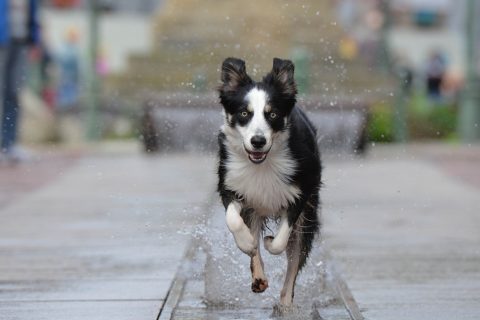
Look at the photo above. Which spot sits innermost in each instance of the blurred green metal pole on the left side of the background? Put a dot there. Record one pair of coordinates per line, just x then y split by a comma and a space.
93, 128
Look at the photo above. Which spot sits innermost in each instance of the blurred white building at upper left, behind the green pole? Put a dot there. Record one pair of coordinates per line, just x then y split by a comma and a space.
125, 27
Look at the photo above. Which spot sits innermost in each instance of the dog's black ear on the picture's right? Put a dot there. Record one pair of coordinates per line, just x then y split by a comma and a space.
282, 77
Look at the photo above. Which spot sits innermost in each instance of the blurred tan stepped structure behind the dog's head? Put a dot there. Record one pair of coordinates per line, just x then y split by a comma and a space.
192, 37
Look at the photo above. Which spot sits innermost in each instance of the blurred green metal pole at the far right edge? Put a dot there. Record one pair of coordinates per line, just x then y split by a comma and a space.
469, 118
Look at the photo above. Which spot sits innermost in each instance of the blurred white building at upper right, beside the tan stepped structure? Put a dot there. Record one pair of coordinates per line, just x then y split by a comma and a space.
418, 28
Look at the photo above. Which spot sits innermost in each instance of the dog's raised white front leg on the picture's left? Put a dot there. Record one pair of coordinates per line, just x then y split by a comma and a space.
243, 237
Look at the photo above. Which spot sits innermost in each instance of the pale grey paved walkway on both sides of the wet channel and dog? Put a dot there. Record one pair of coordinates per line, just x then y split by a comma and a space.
102, 236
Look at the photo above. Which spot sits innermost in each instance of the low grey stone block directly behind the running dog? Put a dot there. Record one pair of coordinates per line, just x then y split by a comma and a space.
186, 122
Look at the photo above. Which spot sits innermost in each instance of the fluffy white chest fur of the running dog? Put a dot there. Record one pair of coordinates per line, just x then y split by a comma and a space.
265, 187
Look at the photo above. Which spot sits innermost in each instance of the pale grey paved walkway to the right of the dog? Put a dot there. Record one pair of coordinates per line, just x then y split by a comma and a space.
404, 224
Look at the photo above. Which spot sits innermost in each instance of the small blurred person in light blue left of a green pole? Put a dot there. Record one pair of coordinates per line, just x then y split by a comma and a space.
69, 78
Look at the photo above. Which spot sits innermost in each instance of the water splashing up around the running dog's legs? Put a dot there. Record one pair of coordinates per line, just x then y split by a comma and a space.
228, 277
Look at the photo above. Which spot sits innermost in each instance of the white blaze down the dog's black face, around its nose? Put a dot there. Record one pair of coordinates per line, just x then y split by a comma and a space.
257, 104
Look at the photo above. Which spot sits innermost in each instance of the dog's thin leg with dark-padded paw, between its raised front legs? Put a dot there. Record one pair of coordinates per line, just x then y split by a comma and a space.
259, 280
